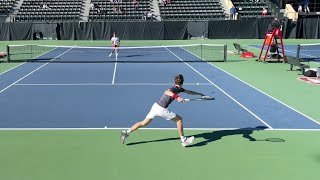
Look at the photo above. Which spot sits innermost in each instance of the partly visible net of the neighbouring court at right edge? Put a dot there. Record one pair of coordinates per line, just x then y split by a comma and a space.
308, 52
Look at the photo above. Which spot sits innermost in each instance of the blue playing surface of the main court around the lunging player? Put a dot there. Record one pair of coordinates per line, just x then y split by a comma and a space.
116, 95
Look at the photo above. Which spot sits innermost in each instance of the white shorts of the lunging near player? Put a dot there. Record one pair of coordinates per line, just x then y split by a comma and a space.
158, 111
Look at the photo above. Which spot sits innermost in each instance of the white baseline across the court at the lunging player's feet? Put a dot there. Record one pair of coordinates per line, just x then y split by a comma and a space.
160, 129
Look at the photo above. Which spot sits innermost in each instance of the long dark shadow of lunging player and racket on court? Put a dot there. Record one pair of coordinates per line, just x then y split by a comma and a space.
217, 135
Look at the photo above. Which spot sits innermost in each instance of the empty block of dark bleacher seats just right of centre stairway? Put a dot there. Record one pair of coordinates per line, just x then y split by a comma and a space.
192, 10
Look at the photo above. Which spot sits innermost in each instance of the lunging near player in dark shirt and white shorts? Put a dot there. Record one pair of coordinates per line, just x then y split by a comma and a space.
159, 109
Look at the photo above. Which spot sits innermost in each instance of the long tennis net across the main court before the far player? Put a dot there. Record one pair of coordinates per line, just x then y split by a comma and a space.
146, 54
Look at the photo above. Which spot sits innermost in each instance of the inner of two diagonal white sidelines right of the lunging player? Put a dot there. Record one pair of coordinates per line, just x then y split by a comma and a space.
223, 91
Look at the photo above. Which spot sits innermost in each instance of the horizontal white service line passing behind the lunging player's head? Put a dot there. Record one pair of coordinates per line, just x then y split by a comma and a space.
108, 84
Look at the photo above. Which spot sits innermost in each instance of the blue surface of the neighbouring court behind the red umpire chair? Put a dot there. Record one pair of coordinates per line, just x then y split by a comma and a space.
306, 53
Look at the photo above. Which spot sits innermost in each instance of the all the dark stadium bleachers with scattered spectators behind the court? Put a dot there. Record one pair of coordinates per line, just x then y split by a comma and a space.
126, 10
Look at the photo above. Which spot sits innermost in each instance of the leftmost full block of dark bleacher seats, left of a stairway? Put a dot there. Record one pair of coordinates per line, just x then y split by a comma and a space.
49, 10
